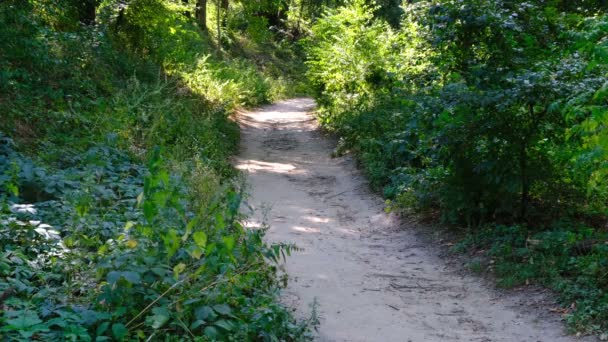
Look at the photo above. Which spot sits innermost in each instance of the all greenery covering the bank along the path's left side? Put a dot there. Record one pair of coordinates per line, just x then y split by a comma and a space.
119, 210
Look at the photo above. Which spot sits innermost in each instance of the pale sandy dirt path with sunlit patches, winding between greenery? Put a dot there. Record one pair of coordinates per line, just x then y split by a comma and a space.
373, 280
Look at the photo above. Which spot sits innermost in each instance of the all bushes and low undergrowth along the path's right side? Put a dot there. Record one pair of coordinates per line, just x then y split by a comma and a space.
493, 115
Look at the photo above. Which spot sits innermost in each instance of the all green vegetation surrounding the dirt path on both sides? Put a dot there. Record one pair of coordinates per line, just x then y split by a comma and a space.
119, 209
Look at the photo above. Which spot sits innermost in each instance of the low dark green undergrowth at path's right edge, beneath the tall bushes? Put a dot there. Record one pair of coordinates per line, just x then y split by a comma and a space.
569, 259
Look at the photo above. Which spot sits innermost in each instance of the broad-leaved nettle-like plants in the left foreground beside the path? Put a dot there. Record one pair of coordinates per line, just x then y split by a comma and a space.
126, 259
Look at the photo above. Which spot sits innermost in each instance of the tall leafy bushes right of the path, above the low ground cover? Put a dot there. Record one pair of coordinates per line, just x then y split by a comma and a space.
469, 90
